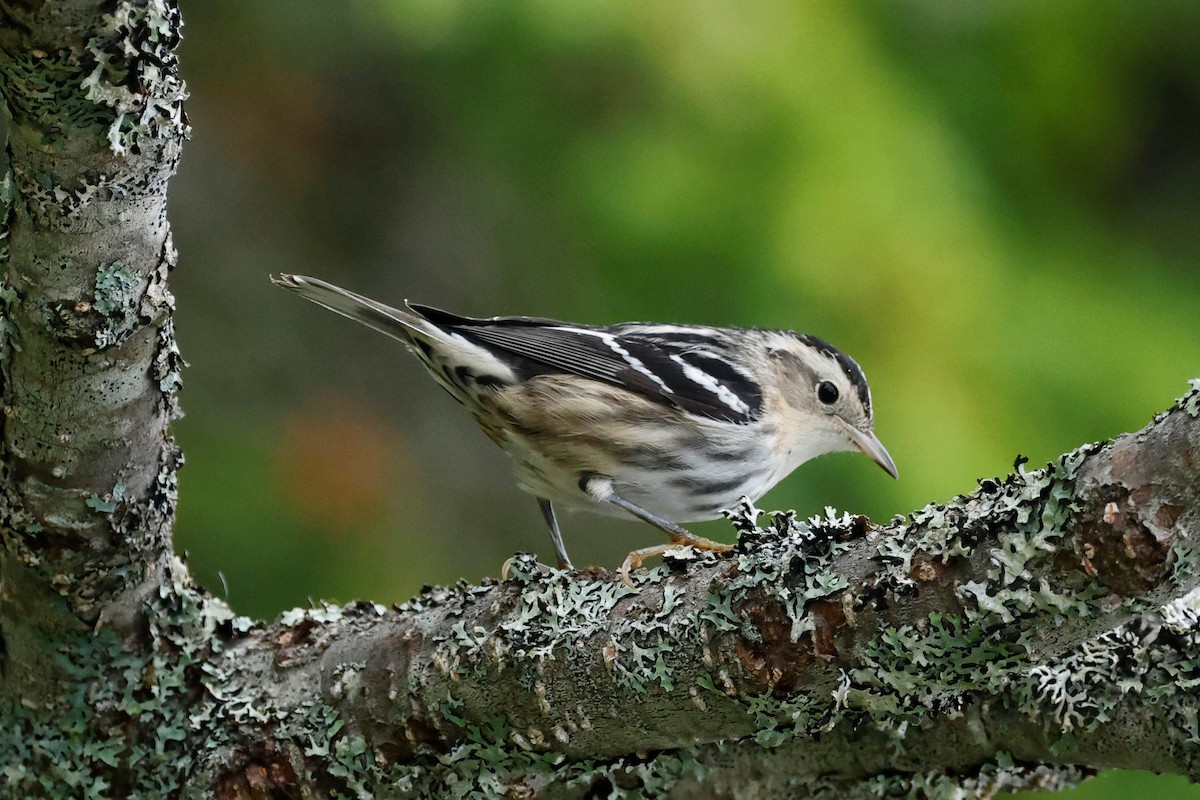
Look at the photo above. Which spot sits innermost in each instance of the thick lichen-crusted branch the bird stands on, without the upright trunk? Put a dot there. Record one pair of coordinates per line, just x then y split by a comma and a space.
1045, 619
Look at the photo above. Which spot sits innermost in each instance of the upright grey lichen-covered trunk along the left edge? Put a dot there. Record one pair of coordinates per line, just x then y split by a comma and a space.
87, 351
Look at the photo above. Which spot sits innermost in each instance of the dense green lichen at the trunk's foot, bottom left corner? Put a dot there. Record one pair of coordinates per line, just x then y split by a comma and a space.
136, 724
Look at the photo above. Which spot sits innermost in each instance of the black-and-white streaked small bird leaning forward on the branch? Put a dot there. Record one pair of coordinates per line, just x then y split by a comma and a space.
659, 423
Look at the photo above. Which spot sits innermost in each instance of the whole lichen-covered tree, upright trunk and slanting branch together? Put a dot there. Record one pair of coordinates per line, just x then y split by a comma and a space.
1023, 636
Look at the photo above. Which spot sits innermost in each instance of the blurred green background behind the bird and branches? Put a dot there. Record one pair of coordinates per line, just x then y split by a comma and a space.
995, 207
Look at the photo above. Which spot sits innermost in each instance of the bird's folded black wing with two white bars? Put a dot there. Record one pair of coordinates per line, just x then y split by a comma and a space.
679, 365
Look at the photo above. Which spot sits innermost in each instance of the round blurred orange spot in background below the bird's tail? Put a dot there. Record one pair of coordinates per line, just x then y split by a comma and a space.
340, 464
